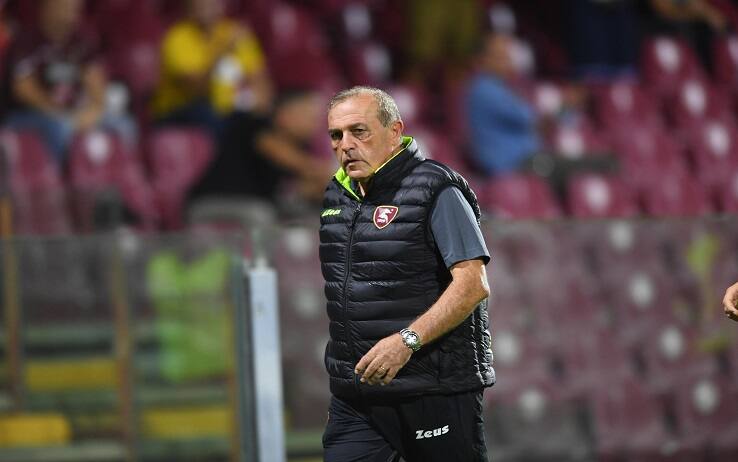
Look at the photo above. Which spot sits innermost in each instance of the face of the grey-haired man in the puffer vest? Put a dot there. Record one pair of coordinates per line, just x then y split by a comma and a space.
359, 140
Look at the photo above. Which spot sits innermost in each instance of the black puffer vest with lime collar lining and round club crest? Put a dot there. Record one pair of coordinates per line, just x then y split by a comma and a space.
382, 270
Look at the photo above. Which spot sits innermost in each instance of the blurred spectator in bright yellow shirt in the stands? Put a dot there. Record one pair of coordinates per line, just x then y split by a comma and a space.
211, 65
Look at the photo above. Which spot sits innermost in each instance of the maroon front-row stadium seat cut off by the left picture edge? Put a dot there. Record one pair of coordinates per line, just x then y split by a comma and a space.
35, 185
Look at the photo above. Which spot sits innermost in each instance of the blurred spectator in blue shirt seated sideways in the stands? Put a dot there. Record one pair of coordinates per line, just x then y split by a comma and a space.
502, 124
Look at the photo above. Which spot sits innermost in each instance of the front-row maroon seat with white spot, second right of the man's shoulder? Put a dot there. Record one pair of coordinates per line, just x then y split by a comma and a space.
597, 196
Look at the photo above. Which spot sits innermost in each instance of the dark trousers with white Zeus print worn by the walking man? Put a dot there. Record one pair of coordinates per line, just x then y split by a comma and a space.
442, 428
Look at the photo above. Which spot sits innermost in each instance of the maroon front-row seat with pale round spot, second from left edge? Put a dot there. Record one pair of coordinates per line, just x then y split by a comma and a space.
100, 166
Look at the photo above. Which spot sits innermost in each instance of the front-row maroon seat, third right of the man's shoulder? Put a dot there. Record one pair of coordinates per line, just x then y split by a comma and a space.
675, 196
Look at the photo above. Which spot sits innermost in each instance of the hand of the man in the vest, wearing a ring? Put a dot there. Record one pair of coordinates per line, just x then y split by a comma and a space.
382, 363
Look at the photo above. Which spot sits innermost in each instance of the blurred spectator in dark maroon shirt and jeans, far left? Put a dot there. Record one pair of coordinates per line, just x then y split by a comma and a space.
57, 82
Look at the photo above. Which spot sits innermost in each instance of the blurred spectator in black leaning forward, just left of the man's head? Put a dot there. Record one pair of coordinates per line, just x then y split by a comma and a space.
257, 152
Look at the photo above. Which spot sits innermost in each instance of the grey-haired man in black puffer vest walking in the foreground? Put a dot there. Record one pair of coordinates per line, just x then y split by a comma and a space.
404, 263
